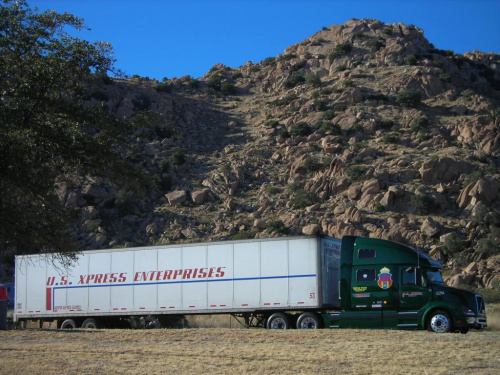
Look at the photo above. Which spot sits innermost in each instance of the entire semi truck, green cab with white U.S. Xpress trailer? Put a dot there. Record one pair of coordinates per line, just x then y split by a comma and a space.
277, 283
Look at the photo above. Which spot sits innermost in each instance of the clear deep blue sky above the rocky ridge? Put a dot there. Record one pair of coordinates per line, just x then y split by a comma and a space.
173, 38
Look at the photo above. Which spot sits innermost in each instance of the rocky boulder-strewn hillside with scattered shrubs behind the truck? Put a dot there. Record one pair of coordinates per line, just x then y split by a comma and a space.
361, 129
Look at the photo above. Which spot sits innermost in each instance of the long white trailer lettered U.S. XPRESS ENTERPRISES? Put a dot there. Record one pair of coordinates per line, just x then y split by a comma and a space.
263, 279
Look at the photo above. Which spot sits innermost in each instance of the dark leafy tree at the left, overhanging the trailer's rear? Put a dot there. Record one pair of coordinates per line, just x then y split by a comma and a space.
46, 129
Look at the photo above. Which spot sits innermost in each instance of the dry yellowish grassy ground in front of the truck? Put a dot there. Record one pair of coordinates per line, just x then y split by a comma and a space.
230, 351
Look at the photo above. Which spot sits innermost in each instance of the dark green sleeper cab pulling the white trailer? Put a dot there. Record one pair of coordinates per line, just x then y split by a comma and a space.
388, 285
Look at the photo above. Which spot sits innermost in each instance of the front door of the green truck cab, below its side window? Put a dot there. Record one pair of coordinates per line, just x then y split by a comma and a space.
413, 293
